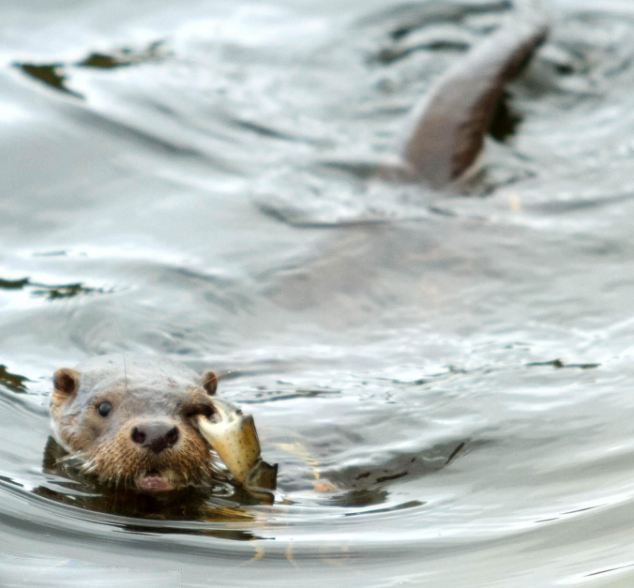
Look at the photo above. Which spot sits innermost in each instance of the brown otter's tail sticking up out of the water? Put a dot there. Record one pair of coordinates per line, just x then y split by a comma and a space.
452, 121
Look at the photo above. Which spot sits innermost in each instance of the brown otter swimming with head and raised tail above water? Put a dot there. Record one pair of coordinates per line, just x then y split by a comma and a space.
136, 421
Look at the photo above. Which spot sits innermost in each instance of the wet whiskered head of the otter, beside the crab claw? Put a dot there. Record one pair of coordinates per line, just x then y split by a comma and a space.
132, 422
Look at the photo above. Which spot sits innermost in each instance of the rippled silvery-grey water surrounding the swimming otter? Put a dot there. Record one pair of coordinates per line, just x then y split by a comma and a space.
192, 179
